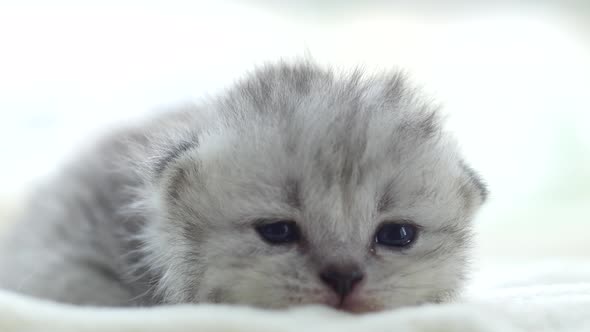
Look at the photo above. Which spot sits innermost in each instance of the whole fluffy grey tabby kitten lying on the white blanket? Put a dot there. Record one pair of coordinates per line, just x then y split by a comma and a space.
297, 186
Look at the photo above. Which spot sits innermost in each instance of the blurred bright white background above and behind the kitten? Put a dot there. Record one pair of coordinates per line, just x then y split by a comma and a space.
514, 77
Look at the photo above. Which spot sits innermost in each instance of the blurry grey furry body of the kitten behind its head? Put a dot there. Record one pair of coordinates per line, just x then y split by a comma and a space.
66, 245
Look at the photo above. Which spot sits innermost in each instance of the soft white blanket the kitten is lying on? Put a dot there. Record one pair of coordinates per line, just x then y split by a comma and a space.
533, 297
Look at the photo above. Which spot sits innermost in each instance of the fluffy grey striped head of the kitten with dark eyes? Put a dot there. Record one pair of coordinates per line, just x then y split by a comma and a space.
313, 188
